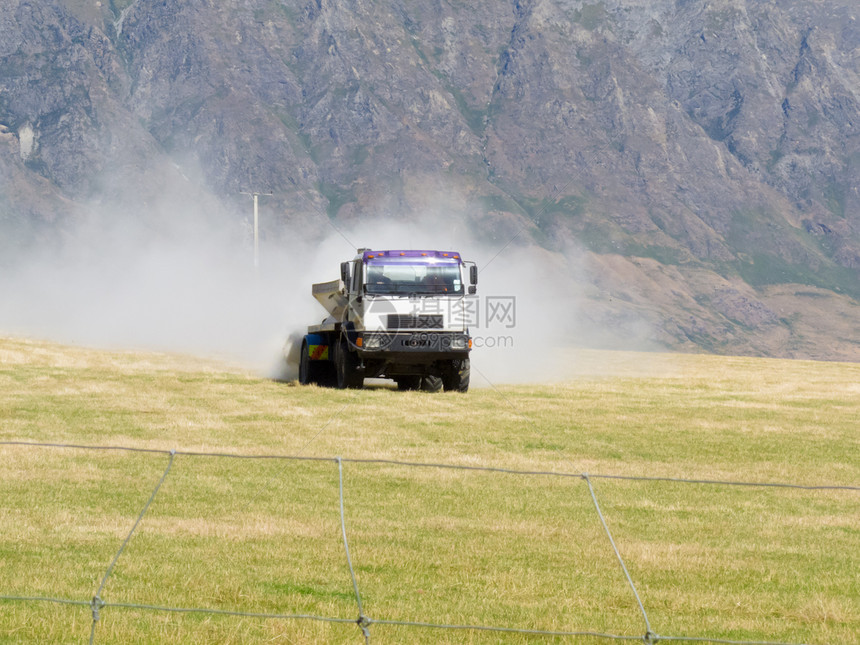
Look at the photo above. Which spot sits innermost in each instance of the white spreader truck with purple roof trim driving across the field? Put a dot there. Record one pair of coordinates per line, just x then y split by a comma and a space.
396, 314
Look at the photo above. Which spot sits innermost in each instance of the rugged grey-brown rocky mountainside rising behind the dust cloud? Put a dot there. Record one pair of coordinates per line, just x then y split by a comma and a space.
703, 155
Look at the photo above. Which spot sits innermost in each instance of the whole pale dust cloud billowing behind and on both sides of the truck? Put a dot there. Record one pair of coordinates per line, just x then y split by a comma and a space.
180, 277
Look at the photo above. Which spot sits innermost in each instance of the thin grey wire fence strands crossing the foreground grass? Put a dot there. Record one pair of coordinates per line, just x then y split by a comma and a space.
364, 622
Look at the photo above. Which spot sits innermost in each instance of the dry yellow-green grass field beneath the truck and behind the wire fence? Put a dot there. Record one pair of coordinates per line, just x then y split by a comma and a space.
432, 545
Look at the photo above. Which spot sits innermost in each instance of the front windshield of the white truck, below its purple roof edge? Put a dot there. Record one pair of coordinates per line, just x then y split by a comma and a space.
413, 278
